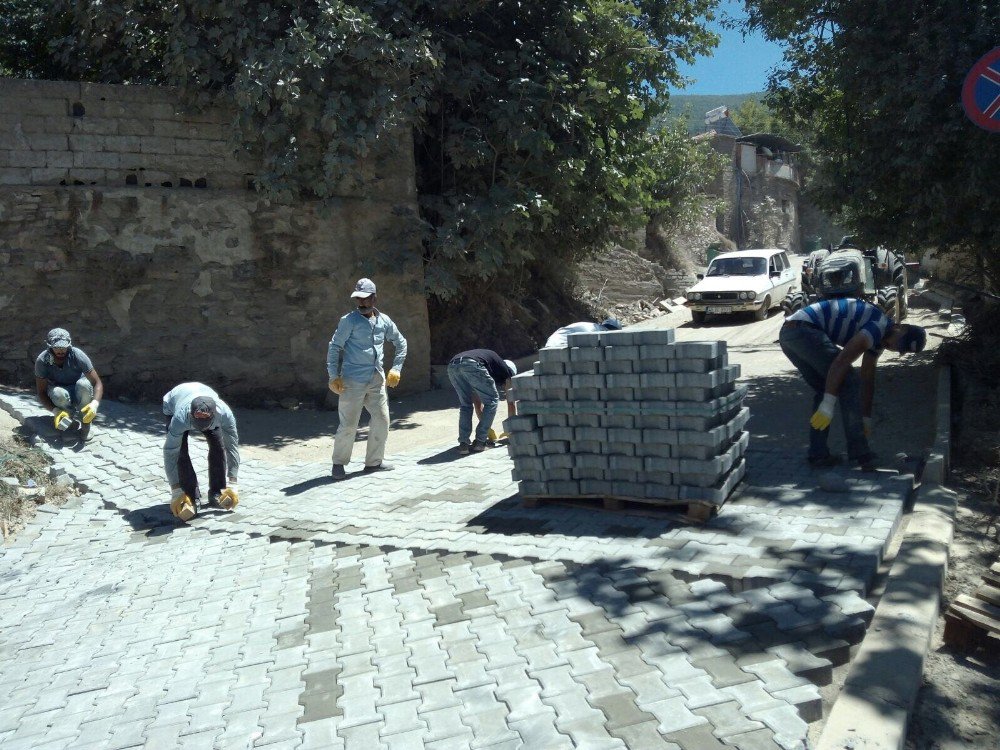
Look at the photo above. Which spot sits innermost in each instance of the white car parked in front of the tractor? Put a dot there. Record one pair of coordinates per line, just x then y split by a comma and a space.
742, 281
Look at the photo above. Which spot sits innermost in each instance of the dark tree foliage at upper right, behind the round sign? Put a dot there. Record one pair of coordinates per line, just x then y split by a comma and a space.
879, 86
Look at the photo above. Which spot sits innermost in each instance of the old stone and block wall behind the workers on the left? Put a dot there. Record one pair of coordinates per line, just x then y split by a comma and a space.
182, 273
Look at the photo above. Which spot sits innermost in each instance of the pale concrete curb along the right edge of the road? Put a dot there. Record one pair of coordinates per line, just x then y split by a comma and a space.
873, 709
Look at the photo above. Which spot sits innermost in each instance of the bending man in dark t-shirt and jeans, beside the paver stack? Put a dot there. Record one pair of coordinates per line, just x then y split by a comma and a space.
478, 376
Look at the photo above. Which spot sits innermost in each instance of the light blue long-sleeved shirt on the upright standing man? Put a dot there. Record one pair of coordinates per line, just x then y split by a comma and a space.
356, 349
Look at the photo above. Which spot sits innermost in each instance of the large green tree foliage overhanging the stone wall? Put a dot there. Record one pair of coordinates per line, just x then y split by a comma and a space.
531, 121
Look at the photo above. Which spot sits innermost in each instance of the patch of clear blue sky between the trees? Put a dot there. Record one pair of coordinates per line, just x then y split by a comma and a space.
738, 65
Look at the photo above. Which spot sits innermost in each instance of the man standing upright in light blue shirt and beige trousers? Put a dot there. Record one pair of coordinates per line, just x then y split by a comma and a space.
354, 365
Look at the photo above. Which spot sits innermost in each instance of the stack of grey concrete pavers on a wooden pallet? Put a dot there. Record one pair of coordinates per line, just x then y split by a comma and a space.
630, 415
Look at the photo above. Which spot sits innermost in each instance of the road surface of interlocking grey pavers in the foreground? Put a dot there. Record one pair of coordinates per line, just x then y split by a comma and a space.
423, 607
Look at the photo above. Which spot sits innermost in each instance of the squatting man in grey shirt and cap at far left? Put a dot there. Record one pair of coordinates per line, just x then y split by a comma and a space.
67, 383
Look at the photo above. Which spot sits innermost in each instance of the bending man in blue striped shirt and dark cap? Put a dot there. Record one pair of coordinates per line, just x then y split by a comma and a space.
823, 340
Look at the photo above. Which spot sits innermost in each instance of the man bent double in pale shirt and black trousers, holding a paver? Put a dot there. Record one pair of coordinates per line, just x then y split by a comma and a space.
194, 406
